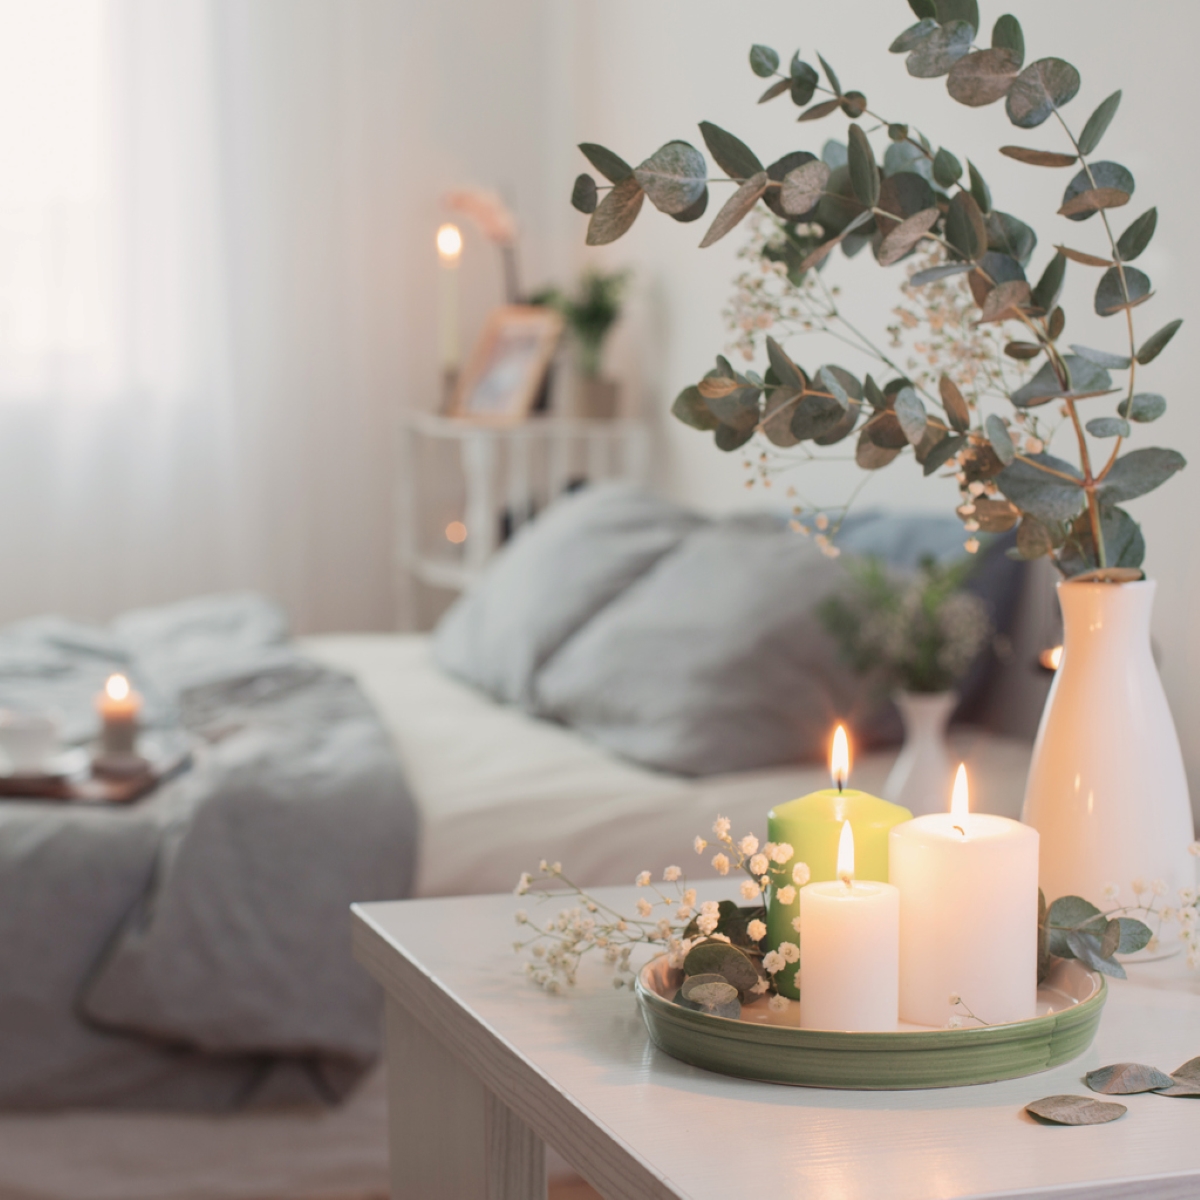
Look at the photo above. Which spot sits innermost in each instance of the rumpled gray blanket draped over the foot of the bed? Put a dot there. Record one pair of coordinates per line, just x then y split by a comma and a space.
193, 950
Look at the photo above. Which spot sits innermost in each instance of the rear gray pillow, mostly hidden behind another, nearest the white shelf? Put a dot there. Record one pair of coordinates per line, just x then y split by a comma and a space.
554, 578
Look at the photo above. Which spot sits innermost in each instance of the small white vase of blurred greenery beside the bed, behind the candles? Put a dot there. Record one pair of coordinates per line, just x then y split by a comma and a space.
917, 635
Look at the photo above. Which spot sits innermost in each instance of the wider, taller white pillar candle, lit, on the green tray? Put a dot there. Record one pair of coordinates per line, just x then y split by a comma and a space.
969, 915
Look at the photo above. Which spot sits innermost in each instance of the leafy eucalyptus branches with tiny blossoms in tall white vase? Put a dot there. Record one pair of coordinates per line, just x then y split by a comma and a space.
1107, 788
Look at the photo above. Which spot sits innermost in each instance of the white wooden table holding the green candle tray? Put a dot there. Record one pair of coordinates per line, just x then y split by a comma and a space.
484, 1069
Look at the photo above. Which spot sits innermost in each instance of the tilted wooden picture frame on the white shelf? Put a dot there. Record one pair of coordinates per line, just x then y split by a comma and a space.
507, 369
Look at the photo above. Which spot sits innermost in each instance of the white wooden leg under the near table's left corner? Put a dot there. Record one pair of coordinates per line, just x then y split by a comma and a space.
448, 1136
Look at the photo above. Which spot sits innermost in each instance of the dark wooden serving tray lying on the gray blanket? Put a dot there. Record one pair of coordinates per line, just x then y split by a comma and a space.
71, 779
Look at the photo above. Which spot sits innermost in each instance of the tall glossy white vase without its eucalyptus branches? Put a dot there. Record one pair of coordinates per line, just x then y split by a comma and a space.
1107, 789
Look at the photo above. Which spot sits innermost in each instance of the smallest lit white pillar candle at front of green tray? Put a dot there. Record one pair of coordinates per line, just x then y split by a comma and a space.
850, 950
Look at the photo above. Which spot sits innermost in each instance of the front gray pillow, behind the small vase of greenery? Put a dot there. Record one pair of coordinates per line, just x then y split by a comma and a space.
715, 662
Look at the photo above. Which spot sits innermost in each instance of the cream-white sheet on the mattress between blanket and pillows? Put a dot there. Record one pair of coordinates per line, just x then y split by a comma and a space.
499, 790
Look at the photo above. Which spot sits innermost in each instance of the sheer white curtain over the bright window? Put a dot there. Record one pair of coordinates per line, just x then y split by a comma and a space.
199, 392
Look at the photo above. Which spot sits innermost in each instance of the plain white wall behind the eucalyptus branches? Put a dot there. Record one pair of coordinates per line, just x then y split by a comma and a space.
652, 71
